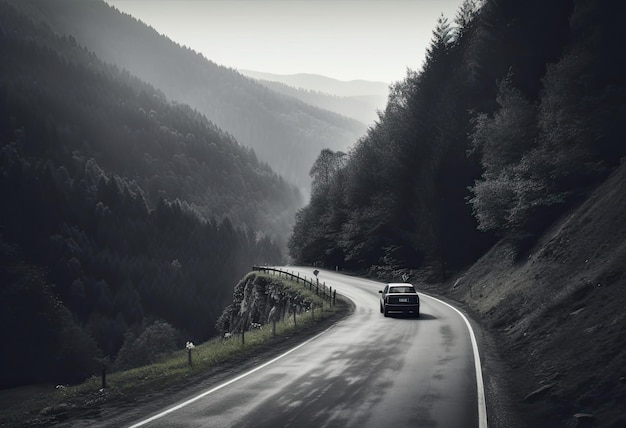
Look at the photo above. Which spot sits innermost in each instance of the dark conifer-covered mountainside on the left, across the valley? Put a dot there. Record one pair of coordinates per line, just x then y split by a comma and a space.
125, 217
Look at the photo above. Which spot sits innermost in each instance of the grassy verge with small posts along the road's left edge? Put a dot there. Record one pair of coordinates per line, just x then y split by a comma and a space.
46, 405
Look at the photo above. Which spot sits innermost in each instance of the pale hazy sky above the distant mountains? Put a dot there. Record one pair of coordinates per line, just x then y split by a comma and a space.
343, 39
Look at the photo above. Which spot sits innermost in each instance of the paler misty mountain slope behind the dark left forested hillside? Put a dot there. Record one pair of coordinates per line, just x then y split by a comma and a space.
284, 132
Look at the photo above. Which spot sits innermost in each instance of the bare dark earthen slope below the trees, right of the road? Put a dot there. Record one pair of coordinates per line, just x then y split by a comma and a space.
559, 312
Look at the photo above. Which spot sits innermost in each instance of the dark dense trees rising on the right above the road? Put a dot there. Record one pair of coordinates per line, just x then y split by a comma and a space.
516, 112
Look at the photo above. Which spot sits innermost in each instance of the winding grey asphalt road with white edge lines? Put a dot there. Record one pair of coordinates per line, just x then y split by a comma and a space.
365, 371
